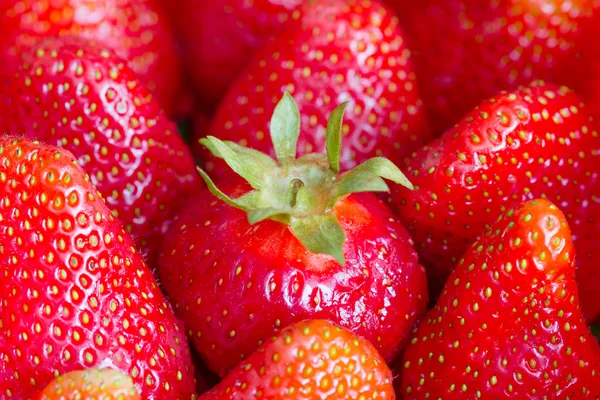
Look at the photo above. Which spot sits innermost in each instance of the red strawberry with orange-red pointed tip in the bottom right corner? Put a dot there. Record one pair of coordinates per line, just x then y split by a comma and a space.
508, 324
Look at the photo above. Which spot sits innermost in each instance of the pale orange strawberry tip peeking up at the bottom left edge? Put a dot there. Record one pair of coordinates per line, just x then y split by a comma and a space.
92, 384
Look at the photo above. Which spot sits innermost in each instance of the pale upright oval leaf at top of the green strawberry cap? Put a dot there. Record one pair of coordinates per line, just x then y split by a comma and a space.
285, 129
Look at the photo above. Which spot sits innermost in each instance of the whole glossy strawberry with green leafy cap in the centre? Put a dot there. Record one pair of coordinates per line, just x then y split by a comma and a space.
301, 245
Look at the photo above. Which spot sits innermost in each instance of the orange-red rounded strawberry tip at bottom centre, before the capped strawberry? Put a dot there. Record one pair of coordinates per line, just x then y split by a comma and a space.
310, 359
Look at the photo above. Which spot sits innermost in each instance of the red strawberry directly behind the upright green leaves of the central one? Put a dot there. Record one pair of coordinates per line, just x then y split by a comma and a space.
338, 51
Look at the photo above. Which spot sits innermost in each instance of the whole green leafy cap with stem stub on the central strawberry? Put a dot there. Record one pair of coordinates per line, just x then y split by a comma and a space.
300, 192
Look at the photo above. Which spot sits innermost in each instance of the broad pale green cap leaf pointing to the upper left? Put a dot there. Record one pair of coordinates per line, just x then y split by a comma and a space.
250, 164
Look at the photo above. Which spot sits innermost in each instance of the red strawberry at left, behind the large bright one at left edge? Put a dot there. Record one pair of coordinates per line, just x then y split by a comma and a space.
81, 97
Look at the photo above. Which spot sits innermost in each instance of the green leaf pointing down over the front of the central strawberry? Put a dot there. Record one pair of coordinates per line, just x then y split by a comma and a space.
320, 234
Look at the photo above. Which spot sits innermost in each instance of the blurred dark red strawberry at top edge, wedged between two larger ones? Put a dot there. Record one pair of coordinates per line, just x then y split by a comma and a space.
220, 37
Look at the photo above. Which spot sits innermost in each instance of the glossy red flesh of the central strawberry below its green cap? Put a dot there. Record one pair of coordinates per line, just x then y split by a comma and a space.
234, 284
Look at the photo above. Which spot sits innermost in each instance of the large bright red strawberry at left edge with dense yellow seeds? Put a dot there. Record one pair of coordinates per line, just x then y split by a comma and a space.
75, 293
